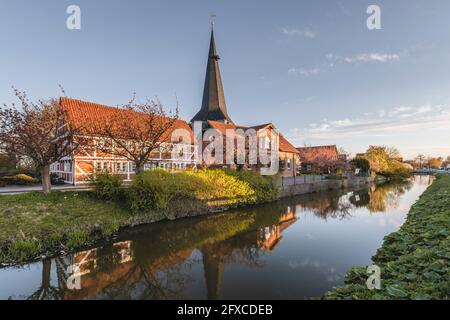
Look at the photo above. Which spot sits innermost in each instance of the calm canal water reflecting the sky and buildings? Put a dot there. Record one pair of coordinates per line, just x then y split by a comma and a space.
293, 249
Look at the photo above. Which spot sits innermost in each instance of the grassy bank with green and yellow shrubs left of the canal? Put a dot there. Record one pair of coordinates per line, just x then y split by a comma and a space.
34, 224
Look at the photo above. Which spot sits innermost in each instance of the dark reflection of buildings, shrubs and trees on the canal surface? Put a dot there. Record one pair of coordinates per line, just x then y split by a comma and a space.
159, 261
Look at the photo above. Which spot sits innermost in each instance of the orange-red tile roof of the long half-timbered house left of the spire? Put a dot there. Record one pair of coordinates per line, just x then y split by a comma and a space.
93, 117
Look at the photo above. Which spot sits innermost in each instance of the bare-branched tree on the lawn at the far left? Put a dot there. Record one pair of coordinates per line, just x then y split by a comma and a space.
38, 131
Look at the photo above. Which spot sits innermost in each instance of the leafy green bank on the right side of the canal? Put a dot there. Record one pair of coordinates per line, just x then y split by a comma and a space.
415, 261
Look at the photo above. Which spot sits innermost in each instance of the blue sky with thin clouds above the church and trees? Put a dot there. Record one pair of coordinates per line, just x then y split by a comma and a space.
311, 67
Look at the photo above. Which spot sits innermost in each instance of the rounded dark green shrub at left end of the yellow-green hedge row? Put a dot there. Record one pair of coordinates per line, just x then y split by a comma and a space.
107, 186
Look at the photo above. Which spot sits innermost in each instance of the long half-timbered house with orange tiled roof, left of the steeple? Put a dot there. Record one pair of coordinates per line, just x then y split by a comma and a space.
92, 156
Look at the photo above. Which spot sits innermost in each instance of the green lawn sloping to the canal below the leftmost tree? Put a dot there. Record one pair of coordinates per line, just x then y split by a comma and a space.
33, 224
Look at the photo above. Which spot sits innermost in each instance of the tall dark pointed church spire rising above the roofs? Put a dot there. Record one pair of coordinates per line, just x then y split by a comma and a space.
213, 105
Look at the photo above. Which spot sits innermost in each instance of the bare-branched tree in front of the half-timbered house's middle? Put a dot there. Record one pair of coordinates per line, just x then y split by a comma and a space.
138, 130
